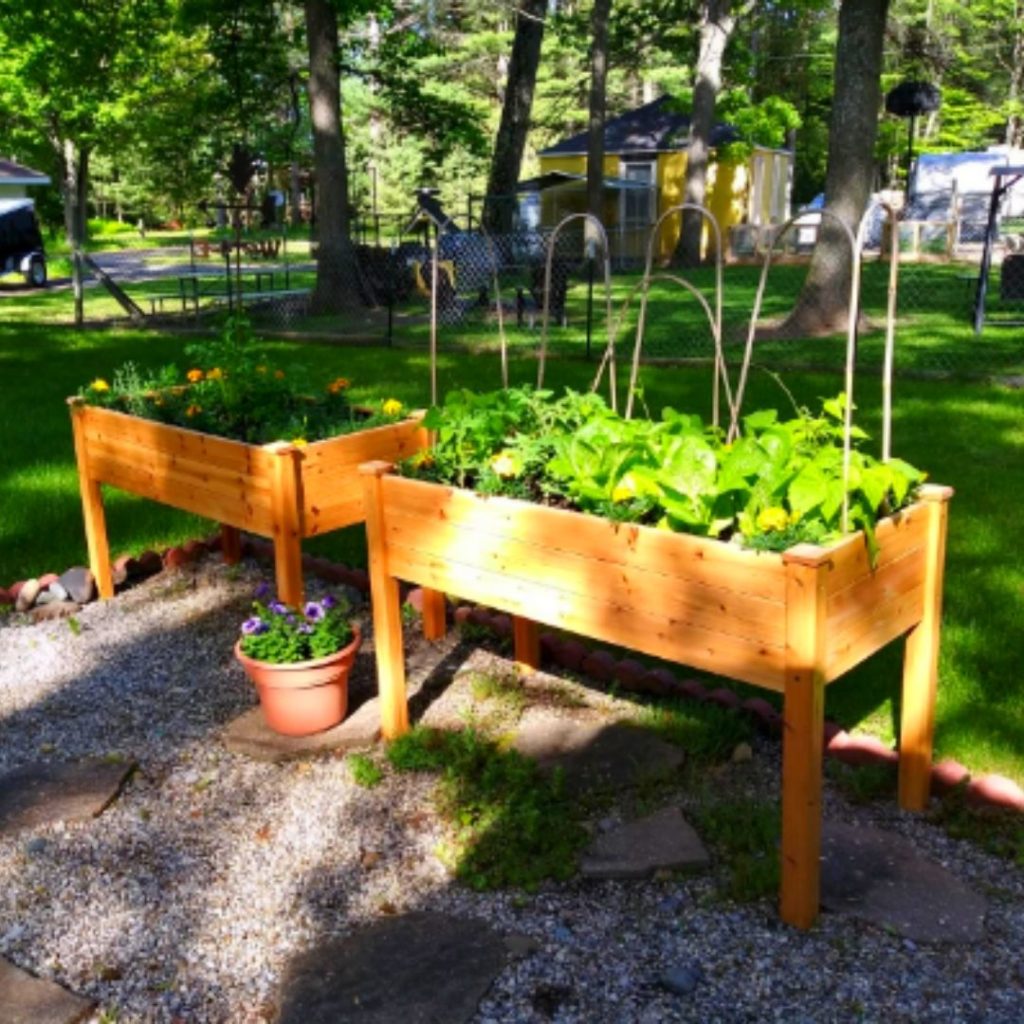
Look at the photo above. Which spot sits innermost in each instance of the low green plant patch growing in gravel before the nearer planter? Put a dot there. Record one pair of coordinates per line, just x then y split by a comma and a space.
513, 825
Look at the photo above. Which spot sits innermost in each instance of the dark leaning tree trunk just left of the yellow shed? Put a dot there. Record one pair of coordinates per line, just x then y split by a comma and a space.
500, 204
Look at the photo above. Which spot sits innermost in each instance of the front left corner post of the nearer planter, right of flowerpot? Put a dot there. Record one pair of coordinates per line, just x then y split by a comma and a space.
388, 611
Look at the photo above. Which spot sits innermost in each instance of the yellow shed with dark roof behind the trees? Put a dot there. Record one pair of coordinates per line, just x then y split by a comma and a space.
645, 172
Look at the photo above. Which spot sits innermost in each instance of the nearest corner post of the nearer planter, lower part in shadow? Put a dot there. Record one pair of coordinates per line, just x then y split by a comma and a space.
803, 721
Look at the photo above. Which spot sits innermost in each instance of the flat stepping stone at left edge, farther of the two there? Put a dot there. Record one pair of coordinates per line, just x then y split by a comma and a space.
45, 794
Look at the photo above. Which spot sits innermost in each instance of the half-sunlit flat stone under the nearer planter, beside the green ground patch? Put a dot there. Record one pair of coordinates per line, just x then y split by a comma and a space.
595, 755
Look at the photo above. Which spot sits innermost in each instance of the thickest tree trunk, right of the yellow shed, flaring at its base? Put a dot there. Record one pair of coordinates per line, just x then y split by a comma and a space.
823, 308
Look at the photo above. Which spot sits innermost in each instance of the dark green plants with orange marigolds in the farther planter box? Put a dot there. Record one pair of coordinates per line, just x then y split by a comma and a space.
232, 391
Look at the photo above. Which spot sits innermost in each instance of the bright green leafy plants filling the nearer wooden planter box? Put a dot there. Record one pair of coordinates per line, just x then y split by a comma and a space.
780, 484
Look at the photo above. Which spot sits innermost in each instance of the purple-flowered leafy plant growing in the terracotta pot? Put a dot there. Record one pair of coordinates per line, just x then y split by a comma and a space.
280, 635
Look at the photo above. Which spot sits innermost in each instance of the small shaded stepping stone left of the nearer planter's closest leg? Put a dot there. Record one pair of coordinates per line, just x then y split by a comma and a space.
663, 841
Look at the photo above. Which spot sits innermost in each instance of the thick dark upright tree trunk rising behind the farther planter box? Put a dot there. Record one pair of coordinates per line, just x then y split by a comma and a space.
336, 282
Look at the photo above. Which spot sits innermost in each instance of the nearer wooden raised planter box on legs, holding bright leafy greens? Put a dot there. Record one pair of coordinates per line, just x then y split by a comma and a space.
790, 623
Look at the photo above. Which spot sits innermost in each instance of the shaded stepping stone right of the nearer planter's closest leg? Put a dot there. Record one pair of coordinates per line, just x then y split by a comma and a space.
881, 878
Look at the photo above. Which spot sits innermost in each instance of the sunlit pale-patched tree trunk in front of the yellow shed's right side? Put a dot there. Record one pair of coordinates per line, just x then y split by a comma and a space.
717, 23
